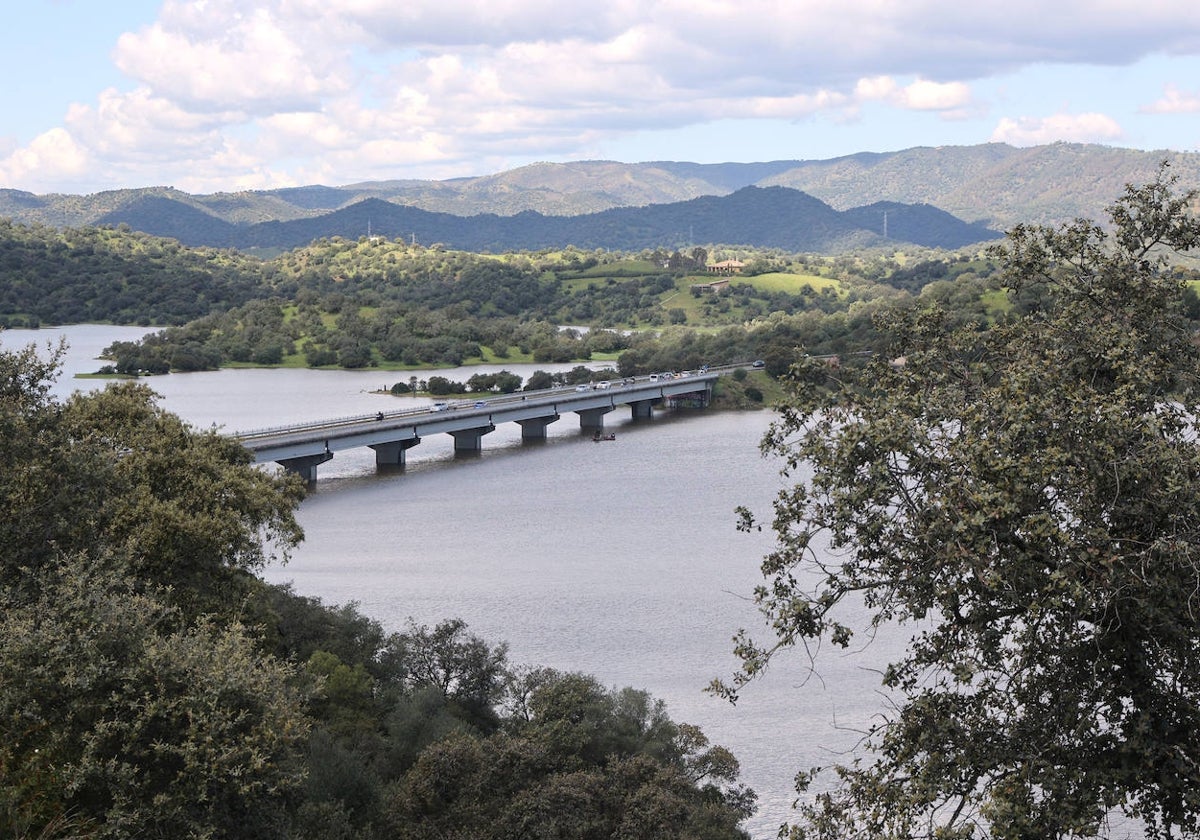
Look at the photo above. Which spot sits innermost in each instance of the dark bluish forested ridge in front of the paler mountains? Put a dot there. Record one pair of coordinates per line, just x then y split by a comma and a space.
777, 218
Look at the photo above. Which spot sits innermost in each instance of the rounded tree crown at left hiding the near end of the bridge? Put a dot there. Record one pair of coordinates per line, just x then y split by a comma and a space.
182, 508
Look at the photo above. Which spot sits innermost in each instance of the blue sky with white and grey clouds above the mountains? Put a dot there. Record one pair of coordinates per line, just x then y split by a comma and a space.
229, 95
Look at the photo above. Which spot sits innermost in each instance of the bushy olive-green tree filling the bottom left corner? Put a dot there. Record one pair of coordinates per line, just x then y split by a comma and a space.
119, 718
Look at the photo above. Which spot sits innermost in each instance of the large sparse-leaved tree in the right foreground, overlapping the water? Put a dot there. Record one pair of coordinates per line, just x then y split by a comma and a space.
1025, 502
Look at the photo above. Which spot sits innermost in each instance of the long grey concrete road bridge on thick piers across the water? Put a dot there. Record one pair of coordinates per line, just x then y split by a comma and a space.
304, 447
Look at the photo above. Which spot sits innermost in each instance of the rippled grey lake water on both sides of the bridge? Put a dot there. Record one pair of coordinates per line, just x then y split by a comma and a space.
621, 560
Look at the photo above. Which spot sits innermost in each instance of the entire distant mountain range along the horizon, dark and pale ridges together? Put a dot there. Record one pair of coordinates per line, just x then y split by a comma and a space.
944, 197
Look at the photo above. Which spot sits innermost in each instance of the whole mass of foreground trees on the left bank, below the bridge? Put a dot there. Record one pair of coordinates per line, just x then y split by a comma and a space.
153, 686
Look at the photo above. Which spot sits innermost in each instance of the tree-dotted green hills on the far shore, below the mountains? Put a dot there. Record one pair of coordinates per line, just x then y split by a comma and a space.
392, 304
